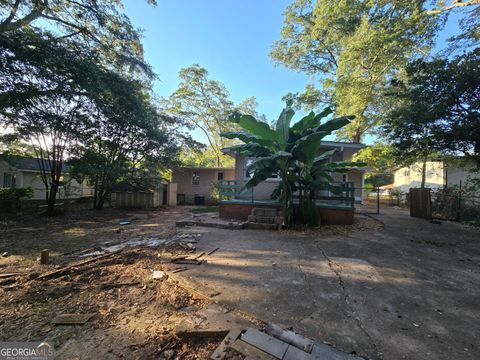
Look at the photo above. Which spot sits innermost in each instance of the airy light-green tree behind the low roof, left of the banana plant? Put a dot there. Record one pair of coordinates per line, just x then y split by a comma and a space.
204, 104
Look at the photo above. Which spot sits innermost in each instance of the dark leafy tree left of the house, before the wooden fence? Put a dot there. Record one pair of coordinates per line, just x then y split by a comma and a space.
127, 137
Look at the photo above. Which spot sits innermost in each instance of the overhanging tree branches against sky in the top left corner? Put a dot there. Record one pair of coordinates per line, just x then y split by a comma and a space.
94, 24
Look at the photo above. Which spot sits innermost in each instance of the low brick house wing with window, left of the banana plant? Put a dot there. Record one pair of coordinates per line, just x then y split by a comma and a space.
187, 190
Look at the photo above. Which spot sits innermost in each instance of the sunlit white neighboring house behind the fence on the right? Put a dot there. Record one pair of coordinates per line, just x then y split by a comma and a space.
439, 174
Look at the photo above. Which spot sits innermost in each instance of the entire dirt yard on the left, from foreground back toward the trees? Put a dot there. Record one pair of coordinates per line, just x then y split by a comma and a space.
135, 316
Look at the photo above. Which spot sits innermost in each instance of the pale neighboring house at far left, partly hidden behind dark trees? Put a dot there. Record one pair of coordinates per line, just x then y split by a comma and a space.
25, 172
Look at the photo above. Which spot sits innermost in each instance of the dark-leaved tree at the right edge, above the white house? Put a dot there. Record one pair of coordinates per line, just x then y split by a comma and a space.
437, 109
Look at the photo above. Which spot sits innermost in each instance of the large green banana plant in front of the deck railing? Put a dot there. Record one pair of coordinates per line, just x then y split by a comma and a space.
292, 153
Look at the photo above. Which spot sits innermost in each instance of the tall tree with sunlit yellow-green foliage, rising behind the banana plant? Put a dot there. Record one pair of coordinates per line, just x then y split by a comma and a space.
352, 47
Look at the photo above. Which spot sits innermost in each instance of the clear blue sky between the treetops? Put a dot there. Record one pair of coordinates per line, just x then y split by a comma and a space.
231, 39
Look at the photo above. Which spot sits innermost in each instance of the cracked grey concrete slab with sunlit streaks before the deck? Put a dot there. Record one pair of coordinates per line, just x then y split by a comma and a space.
409, 291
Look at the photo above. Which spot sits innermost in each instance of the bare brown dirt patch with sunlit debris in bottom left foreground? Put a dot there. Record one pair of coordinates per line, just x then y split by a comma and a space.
134, 315
